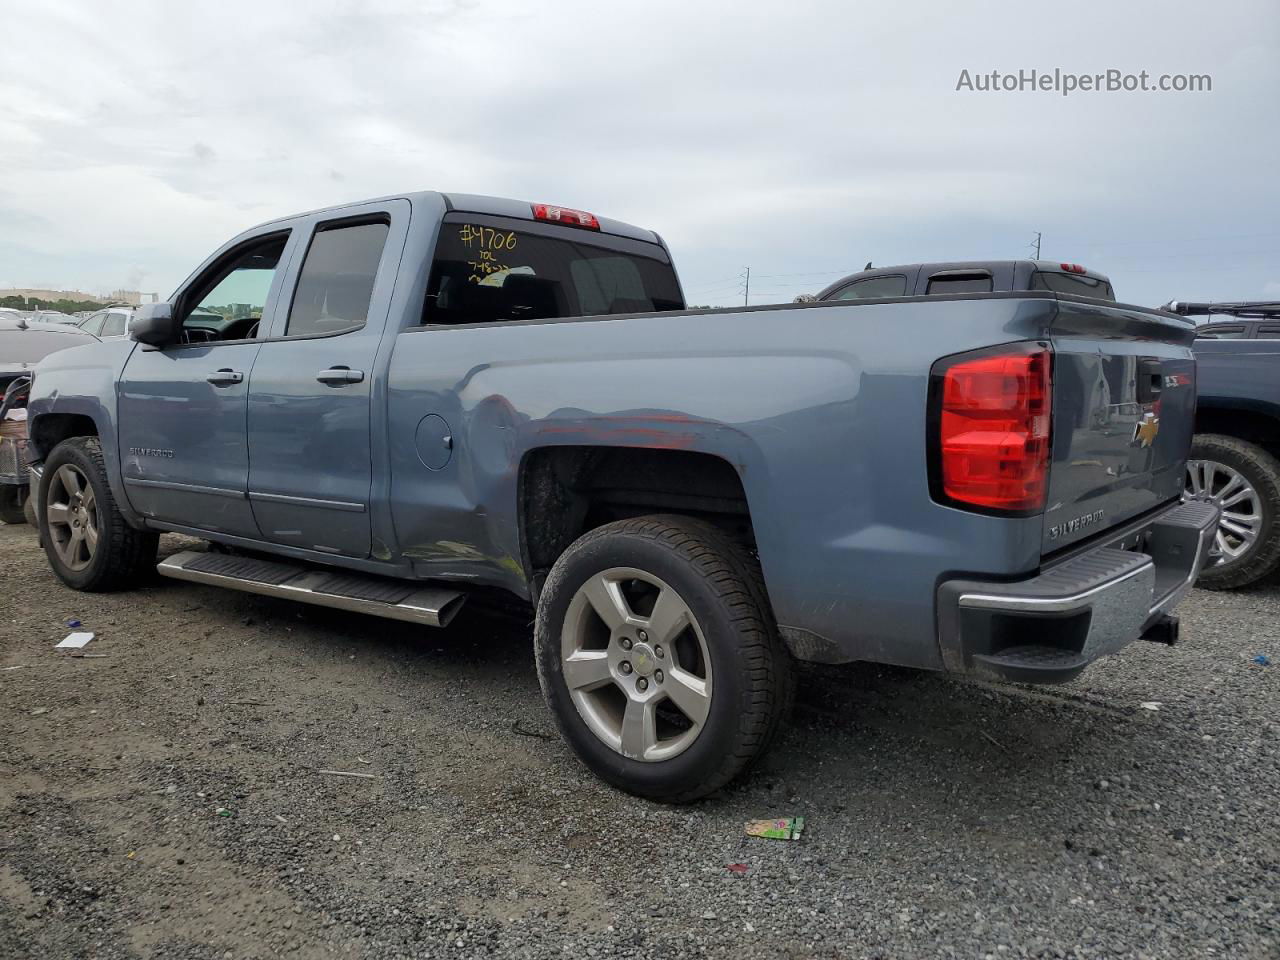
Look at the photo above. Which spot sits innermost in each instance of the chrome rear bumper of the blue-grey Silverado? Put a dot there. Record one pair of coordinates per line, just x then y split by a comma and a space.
1050, 628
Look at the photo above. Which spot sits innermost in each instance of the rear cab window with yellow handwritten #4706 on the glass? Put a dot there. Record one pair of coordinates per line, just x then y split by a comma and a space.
491, 269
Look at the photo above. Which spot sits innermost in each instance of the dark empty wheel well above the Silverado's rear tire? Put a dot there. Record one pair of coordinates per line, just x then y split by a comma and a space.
568, 491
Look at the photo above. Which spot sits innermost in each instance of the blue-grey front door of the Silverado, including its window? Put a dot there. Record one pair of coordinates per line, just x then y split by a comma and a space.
182, 409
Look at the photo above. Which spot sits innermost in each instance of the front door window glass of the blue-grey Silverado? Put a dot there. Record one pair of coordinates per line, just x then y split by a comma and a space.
227, 304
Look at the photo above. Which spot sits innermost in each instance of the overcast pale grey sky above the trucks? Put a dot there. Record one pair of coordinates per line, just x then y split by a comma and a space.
801, 139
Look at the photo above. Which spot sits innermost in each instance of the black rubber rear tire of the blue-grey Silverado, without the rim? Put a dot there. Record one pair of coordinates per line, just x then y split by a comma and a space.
721, 586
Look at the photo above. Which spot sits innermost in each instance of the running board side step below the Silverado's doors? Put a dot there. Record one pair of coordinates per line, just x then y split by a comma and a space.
381, 597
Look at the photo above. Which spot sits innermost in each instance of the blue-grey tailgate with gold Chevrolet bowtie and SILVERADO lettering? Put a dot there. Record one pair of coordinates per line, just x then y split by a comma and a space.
1124, 409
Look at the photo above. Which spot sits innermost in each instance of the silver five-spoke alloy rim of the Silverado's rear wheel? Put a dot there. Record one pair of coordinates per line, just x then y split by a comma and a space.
637, 665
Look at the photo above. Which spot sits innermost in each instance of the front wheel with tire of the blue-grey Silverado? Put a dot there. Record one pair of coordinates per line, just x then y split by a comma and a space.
88, 541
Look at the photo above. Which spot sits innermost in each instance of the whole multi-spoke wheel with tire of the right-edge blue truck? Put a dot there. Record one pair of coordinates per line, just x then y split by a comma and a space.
1245, 482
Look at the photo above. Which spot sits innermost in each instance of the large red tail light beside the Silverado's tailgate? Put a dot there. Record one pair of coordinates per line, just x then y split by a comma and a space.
993, 415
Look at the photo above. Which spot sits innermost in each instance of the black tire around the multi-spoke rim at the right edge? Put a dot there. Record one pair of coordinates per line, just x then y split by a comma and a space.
1263, 472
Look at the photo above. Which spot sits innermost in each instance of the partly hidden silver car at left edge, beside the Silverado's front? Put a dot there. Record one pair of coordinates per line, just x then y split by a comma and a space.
22, 345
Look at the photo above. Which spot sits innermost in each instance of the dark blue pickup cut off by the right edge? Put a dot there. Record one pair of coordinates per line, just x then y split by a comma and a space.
1236, 455
